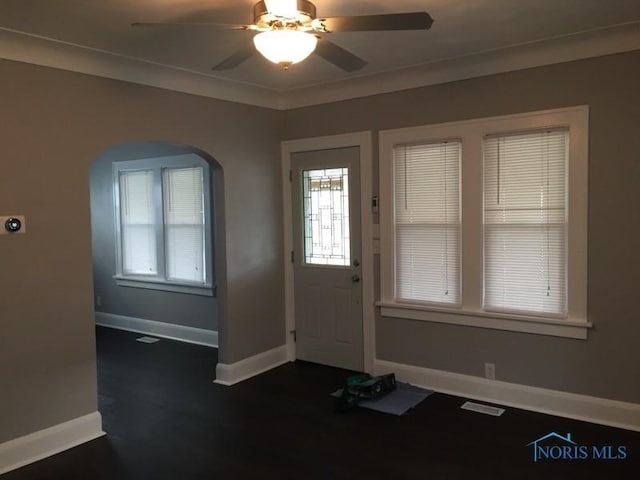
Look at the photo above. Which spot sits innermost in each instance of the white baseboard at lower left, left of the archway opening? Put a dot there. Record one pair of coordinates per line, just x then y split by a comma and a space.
44, 443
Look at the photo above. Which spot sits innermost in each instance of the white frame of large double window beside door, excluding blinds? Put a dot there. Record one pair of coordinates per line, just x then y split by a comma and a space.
472, 133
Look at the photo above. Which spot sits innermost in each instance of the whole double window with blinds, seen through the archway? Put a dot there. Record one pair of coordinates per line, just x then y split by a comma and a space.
163, 224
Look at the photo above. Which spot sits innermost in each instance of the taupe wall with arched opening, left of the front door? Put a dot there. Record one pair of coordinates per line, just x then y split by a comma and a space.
54, 124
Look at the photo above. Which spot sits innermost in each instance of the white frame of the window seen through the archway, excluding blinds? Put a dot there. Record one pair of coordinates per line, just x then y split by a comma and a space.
159, 281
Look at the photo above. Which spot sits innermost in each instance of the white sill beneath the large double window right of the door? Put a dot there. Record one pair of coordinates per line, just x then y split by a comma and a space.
497, 321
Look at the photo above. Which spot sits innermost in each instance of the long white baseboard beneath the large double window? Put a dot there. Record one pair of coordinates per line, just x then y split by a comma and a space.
603, 411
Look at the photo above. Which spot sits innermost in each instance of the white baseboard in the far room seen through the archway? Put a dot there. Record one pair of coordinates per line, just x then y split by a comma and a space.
198, 336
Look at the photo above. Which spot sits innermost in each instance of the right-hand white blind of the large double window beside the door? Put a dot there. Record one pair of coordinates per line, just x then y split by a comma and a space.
525, 231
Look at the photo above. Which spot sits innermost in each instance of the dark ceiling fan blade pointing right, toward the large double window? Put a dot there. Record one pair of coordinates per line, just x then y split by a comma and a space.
368, 23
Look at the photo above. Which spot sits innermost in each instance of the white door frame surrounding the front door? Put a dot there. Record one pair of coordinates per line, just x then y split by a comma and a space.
363, 140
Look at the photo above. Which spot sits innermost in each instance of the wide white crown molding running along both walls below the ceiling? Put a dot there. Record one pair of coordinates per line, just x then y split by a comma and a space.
33, 49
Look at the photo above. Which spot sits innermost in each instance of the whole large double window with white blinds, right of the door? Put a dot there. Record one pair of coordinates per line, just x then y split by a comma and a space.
488, 229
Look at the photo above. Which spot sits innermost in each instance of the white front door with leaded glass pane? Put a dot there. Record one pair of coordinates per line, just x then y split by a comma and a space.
327, 257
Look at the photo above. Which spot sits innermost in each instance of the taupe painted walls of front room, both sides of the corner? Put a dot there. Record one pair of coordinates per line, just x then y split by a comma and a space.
54, 123
